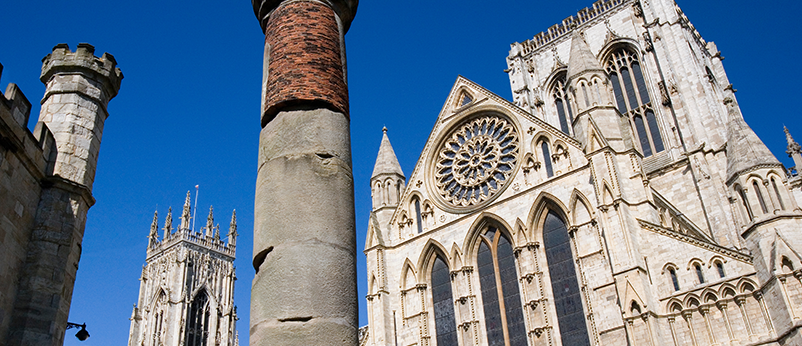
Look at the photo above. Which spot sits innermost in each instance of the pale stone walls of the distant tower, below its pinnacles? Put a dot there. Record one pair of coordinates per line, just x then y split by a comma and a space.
179, 267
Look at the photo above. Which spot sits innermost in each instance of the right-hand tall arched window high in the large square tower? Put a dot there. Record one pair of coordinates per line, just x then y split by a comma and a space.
632, 99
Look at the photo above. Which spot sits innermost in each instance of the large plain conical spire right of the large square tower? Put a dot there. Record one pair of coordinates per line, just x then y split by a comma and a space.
744, 149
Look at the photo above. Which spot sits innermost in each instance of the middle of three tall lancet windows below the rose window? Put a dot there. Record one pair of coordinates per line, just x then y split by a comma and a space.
504, 318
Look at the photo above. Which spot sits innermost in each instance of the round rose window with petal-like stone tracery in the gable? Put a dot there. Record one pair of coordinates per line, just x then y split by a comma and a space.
475, 160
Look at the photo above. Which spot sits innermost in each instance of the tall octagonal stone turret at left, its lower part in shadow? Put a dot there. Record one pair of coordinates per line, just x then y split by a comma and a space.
79, 87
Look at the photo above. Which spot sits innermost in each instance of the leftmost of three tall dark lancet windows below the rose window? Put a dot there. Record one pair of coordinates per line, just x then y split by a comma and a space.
444, 322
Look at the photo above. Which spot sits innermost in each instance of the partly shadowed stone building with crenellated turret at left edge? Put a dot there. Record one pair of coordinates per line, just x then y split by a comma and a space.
46, 189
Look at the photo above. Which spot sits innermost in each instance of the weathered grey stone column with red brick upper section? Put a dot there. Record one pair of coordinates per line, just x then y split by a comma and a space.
304, 291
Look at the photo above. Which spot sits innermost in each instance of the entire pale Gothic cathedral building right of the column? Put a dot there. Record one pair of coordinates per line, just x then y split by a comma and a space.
620, 199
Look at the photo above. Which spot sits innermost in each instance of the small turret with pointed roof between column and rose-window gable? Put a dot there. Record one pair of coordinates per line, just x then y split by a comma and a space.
387, 180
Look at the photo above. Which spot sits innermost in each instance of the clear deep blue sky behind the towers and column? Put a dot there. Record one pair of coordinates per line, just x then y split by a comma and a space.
188, 110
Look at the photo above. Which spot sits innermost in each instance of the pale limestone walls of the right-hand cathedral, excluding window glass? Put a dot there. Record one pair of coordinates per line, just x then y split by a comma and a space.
637, 217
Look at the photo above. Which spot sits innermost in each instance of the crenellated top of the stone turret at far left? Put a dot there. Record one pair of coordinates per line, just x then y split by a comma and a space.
62, 60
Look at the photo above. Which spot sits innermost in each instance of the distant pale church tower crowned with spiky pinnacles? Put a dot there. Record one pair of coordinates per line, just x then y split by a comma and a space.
186, 292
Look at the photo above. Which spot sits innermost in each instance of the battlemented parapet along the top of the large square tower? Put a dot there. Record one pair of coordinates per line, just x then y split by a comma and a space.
558, 30
